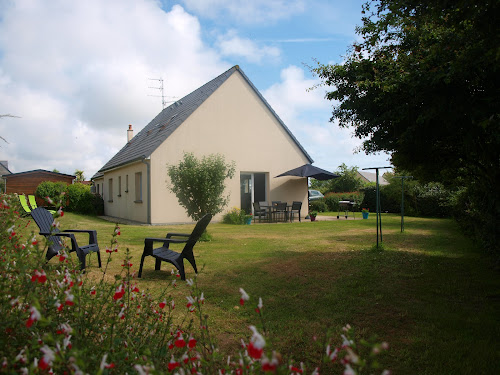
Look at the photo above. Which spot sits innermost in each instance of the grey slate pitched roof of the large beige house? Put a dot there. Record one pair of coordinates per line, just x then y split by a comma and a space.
168, 120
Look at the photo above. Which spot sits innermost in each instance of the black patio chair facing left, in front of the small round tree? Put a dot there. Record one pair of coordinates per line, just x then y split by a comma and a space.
164, 254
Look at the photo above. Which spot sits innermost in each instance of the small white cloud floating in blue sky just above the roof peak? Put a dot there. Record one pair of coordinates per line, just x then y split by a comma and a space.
231, 44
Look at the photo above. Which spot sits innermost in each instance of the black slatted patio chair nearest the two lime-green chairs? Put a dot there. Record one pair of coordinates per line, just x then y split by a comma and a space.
44, 220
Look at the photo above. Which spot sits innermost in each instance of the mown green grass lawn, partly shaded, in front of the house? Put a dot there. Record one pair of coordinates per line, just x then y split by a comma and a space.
428, 292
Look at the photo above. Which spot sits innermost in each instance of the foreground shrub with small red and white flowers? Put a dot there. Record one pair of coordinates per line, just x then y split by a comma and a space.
56, 319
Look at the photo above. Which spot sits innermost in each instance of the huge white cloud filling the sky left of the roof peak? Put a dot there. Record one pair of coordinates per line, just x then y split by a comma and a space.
77, 74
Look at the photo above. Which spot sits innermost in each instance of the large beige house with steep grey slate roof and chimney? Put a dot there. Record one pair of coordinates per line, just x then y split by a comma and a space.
228, 116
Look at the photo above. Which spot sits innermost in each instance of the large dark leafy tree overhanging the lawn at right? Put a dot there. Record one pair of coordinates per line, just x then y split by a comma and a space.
422, 84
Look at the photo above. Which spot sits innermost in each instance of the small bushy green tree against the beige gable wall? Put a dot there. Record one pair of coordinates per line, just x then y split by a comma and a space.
199, 183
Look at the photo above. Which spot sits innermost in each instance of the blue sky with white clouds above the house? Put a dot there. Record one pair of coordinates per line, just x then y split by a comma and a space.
76, 73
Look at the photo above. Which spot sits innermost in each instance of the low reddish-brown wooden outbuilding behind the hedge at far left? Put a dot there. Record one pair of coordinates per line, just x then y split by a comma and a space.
27, 182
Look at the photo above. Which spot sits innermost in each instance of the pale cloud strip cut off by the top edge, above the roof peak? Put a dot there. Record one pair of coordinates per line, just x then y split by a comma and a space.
247, 12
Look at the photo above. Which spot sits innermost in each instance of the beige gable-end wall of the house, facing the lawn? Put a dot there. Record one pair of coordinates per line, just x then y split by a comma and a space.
234, 122
